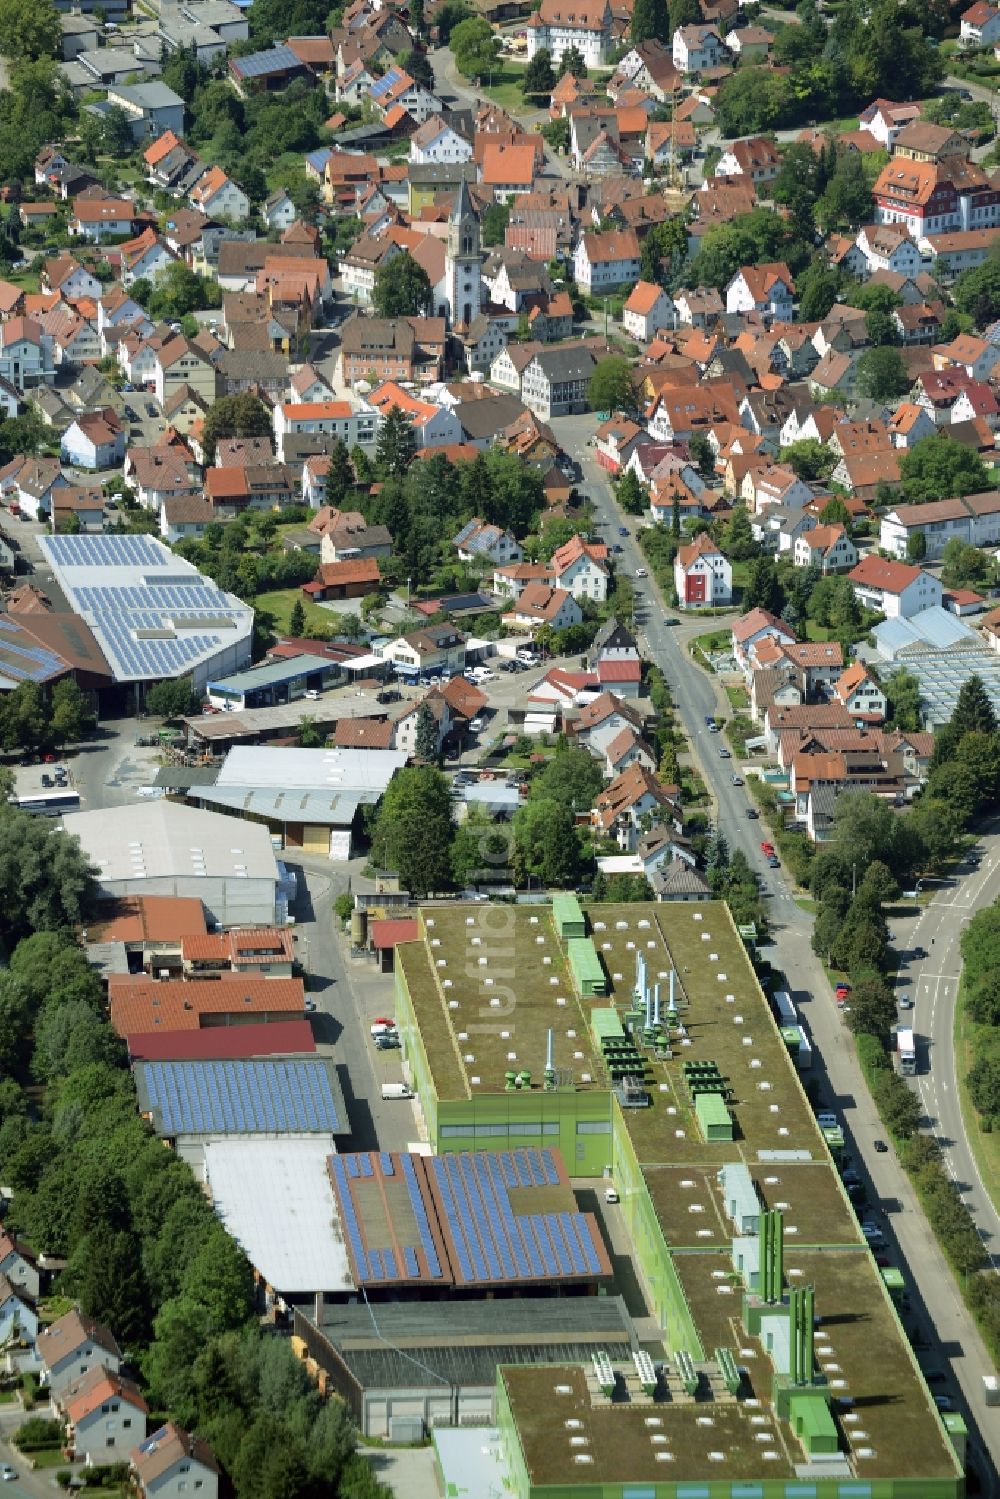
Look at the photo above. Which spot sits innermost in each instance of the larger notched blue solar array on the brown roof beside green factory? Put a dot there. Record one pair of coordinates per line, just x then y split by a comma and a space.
491, 1242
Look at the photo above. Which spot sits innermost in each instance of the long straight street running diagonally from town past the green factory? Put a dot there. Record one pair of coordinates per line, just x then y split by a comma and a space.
939, 1317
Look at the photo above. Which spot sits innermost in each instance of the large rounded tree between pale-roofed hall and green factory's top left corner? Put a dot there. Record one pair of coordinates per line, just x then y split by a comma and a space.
413, 833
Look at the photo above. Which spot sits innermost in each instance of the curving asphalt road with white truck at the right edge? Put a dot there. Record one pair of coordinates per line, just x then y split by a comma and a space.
933, 987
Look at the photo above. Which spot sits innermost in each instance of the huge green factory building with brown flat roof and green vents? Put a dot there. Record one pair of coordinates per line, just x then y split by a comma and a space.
654, 1065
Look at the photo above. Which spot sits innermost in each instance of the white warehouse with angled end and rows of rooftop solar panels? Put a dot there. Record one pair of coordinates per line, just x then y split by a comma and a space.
154, 615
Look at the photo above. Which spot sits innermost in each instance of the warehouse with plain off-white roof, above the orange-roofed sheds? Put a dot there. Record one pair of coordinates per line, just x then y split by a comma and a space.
166, 849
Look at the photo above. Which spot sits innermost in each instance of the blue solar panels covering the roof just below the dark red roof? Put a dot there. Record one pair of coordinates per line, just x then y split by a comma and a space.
241, 1098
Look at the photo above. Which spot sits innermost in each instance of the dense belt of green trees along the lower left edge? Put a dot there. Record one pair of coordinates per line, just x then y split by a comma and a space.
145, 1251
